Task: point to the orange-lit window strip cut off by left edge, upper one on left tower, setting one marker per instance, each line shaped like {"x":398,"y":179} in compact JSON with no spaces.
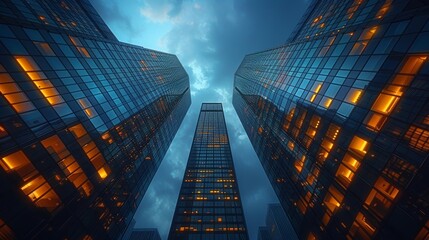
{"x":14,"y":95}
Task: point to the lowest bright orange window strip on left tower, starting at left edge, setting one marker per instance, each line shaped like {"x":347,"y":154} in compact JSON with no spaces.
{"x":35,"y":186}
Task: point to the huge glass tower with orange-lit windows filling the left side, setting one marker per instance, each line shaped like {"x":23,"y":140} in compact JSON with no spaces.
{"x":85,"y":121}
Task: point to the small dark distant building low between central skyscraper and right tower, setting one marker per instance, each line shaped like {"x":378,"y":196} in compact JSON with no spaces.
{"x":278,"y":226}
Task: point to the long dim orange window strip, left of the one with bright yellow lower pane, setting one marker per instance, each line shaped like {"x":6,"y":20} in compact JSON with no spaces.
{"x":68,"y":164}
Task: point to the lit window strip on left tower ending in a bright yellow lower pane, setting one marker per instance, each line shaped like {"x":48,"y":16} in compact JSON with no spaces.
{"x":91,"y":150}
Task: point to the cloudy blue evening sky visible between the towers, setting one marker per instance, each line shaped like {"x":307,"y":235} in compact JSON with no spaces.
{"x":210,"y":38}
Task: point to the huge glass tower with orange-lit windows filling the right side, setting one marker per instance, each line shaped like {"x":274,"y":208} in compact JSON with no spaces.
{"x":339,"y":117}
